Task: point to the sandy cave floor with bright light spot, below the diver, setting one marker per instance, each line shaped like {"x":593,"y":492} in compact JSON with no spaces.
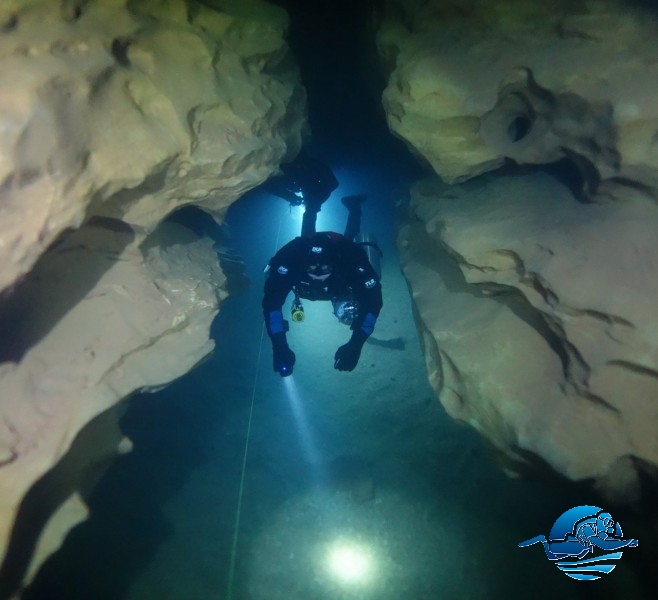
{"x":380,"y":466}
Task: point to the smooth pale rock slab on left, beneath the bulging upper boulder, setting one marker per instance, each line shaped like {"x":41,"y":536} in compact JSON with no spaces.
{"x":99,"y":318}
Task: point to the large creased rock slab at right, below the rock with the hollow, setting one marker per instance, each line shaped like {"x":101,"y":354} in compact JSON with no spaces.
{"x":539,"y":323}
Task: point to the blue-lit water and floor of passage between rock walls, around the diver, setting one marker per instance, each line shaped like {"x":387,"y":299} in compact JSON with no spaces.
{"x":237,"y":484}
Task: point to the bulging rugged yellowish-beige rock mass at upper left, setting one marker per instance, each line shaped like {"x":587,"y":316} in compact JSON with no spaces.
{"x":131,"y":109}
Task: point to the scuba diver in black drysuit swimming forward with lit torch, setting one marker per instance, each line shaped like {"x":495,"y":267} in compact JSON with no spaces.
{"x":322,"y":266}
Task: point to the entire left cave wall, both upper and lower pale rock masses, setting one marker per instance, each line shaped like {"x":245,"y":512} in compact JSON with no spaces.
{"x":114,"y":113}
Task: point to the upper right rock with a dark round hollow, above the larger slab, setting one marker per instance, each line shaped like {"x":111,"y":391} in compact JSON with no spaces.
{"x":474,"y":83}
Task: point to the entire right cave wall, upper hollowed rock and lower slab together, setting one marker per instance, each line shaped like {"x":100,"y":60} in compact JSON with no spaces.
{"x":535,"y":293}
